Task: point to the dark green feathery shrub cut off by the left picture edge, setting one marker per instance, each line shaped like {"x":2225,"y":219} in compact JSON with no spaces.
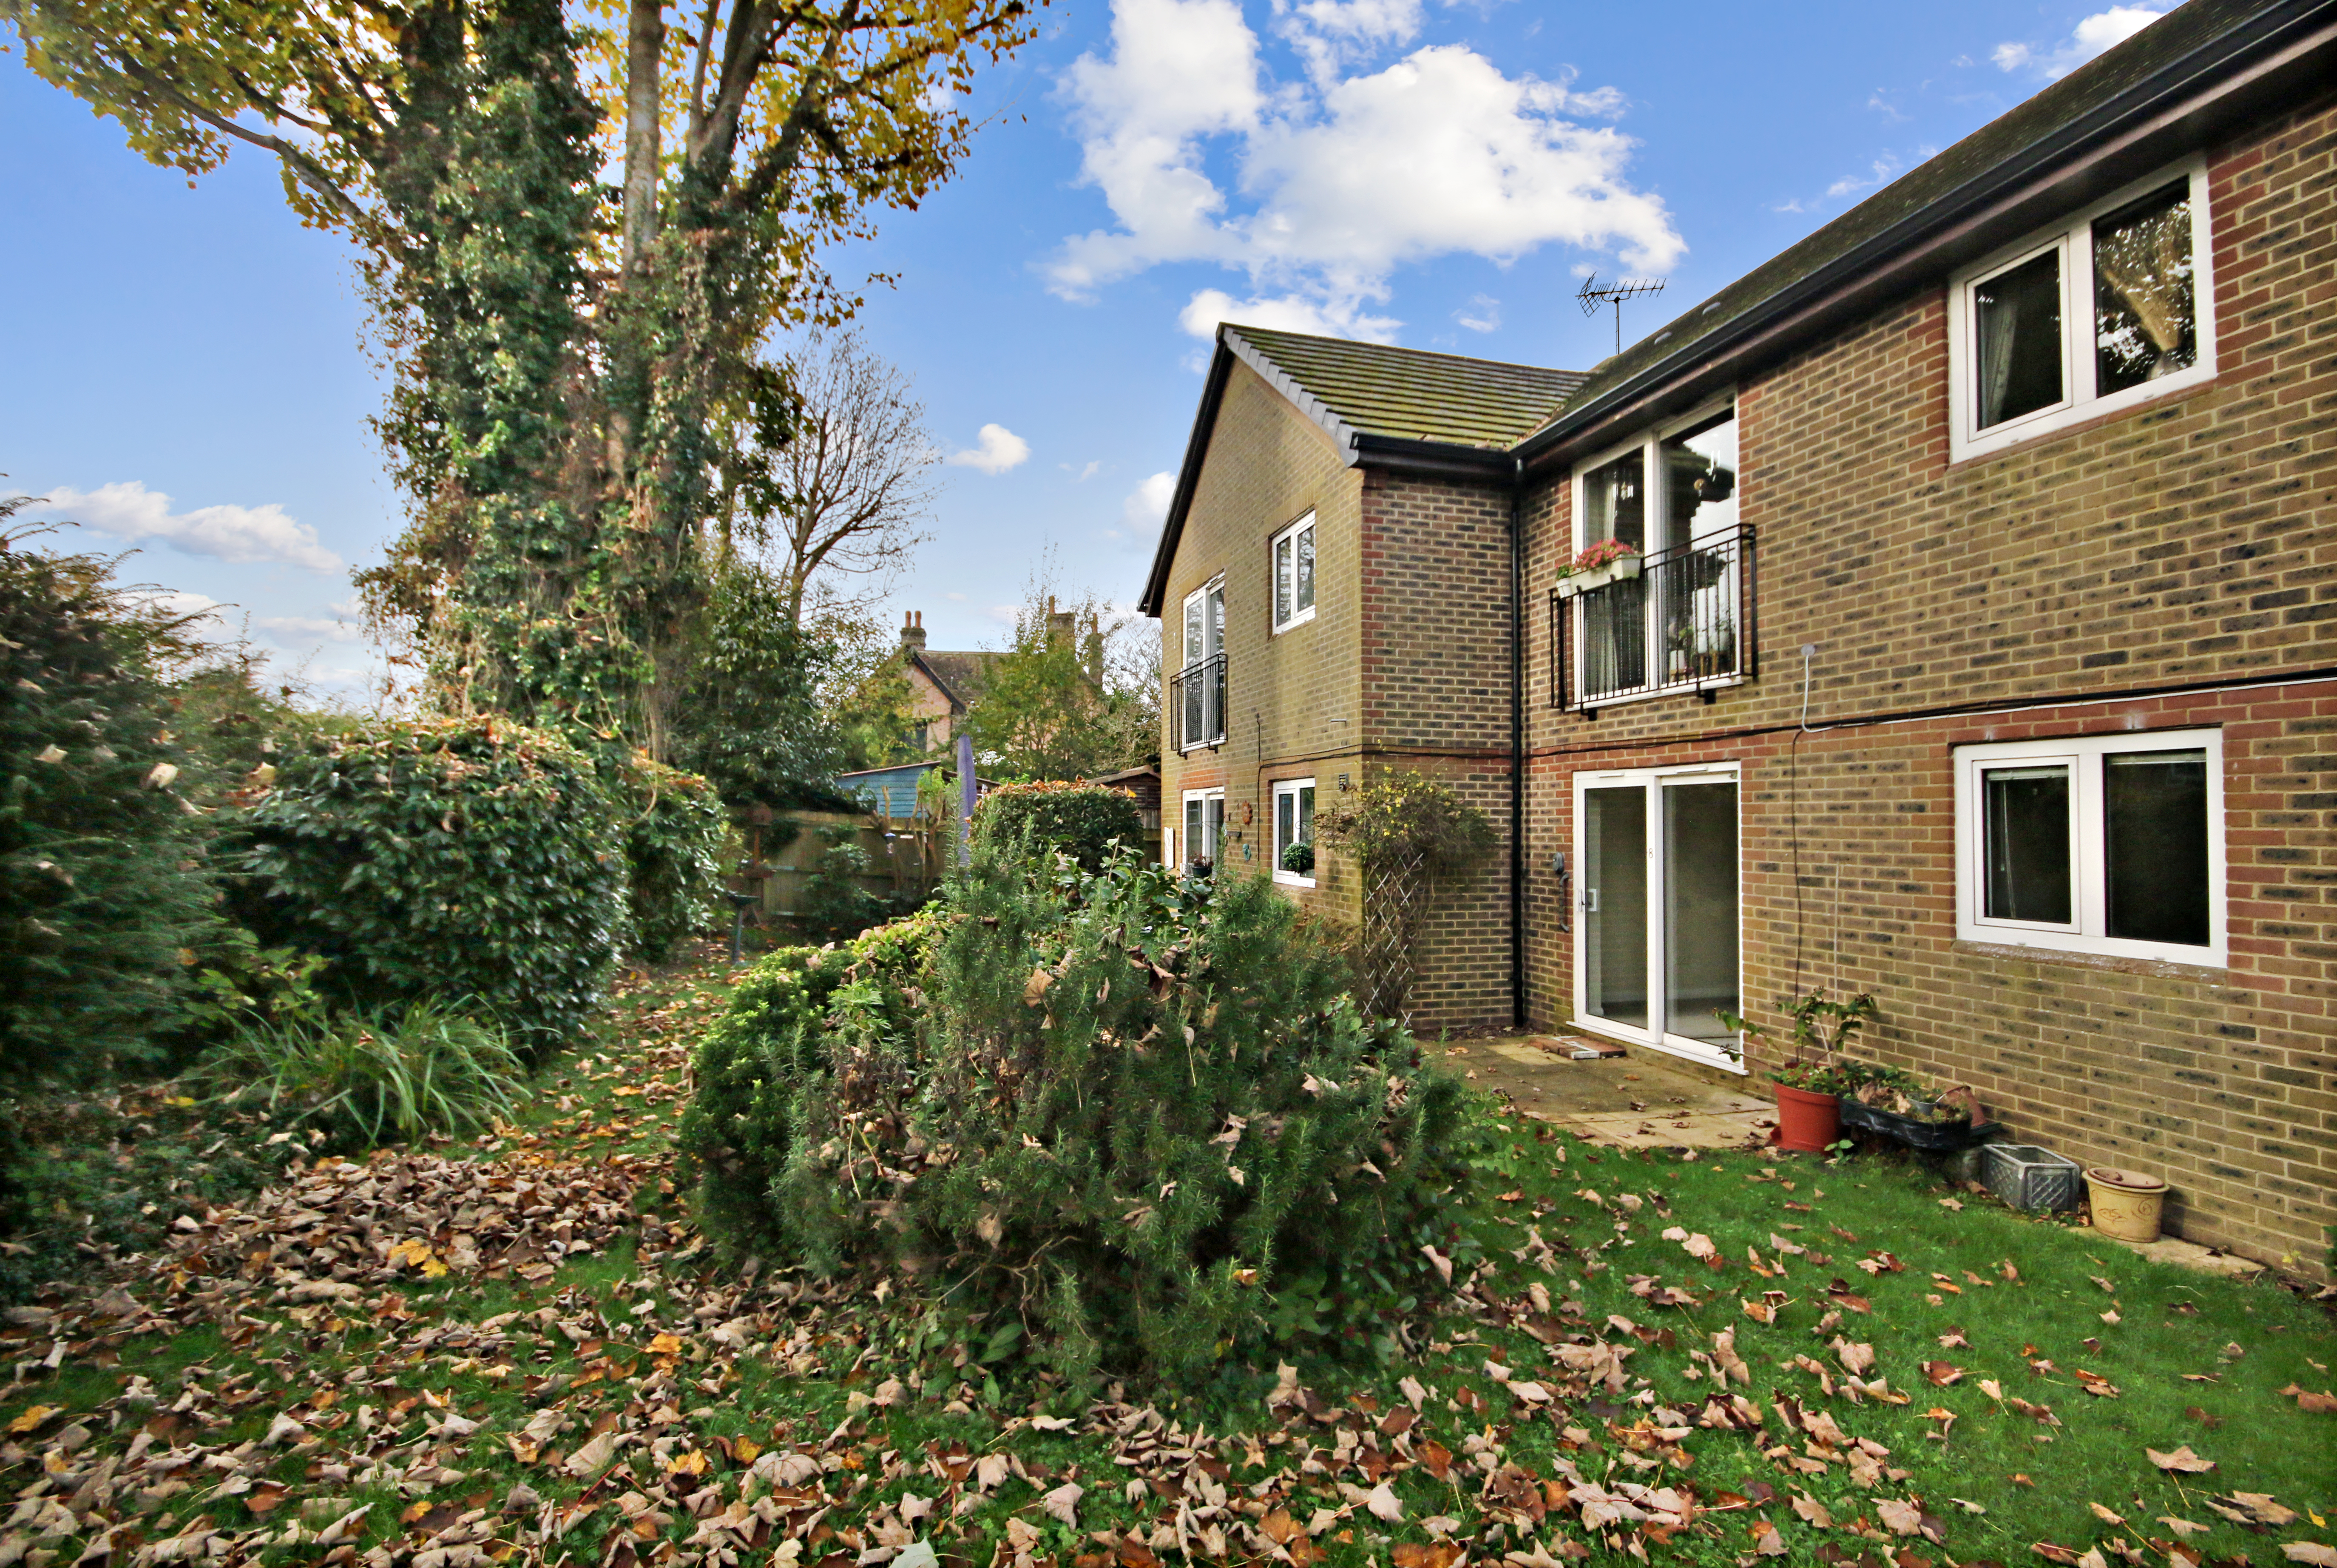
{"x":102,"y":856}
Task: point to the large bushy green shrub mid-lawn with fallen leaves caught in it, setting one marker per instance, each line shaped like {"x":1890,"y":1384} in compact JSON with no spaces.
{"x":1128,"y":1111}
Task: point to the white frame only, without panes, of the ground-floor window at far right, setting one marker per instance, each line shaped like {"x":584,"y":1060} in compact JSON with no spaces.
{"x":2088,"y":870}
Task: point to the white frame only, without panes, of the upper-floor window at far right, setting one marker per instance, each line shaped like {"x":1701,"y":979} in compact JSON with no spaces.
{"x":2074,"y":237}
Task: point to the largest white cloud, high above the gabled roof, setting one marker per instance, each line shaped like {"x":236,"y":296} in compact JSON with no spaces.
{"x":1345,"y":179}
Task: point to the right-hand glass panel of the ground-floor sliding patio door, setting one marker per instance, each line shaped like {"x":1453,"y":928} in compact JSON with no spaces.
{"x":1700,"y":910}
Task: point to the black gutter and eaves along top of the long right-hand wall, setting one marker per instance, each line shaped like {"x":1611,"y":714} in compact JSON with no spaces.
{"x":2282,"y":36}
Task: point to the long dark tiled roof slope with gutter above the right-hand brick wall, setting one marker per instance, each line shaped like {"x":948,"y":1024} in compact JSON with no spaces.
{"x":2116,"y":106}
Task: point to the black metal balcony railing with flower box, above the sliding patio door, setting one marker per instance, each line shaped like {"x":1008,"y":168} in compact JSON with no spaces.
{"x":1684,"y":625}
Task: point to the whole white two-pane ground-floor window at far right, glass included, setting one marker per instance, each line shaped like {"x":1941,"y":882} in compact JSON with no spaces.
{"x":2100,"y":845}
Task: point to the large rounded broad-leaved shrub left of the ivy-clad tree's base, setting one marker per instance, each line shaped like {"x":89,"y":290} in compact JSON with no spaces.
{"x":450,"y":859}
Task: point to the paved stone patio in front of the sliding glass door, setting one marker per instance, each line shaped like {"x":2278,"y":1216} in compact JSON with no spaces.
{"x":1637,"y":1102}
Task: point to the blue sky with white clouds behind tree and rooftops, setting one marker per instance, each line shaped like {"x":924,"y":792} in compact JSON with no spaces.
{"x":186,"y":368}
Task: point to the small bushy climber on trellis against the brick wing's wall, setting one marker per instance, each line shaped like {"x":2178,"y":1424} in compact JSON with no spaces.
{"x":1408,"y":833}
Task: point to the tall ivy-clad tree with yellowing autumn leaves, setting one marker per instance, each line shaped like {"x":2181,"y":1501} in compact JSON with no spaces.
{"x":571,"y":363}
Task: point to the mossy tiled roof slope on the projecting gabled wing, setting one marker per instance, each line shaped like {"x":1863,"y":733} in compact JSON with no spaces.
{"x":1403,"y":394}
